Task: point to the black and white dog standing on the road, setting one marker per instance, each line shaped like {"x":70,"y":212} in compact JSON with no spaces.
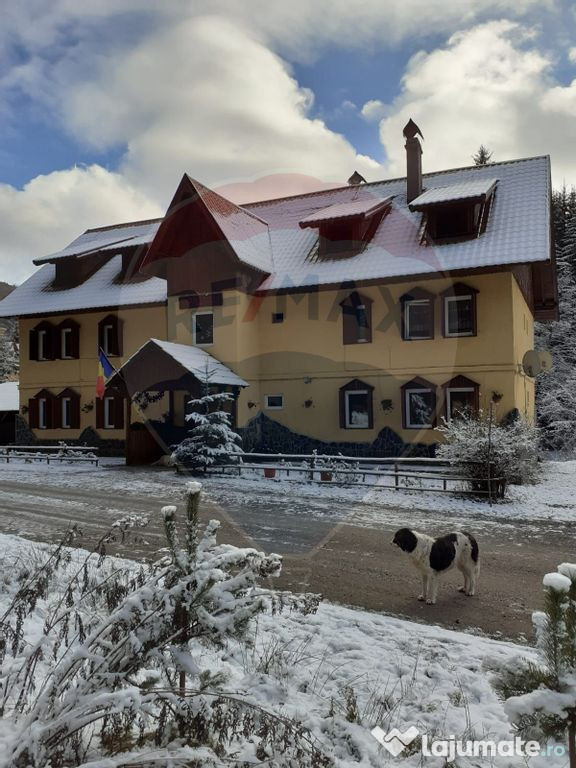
{"x":435,"y":556}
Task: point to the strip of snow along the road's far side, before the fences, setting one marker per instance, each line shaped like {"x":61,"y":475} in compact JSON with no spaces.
{"x":554,"y":499}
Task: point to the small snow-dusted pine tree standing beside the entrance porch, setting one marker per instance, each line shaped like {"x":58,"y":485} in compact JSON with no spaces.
{"x":211,"y":439}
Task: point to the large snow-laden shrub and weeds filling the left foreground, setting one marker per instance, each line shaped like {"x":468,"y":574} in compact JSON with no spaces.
{"x":117,"y":670}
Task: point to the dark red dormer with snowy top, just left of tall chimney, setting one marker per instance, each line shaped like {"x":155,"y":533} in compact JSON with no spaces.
{"x":344,"y":229}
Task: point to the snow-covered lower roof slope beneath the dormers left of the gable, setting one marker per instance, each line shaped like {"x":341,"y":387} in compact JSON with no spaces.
{"x":36,"y":297}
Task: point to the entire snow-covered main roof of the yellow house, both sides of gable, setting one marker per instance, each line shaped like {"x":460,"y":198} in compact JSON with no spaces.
{"x":267,"y":235}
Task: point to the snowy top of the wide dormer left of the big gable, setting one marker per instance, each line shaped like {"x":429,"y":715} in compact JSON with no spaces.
{"x":106,"y":239}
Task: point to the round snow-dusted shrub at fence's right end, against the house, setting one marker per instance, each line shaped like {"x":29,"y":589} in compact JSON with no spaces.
{"x":474,"y":444}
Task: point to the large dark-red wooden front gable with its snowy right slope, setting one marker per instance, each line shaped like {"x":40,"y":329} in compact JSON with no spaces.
{"x":198,"y":216}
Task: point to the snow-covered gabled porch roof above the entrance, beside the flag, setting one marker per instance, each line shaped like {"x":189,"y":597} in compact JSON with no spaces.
{"x":166,"y":365}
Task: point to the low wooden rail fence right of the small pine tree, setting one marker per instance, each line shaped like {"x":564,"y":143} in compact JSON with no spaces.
{"x":418,"y":474}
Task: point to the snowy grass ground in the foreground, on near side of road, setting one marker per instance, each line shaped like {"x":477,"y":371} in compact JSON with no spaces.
{"x":344,"y":671}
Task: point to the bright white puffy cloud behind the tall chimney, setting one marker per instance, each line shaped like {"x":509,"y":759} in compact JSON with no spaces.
{"x":488,"y":85}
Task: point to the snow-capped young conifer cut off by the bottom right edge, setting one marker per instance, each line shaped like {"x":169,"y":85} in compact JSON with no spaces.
{"x":540,"y":698}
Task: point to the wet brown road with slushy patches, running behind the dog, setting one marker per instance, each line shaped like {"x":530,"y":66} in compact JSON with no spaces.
{"x":349,"y":562}
